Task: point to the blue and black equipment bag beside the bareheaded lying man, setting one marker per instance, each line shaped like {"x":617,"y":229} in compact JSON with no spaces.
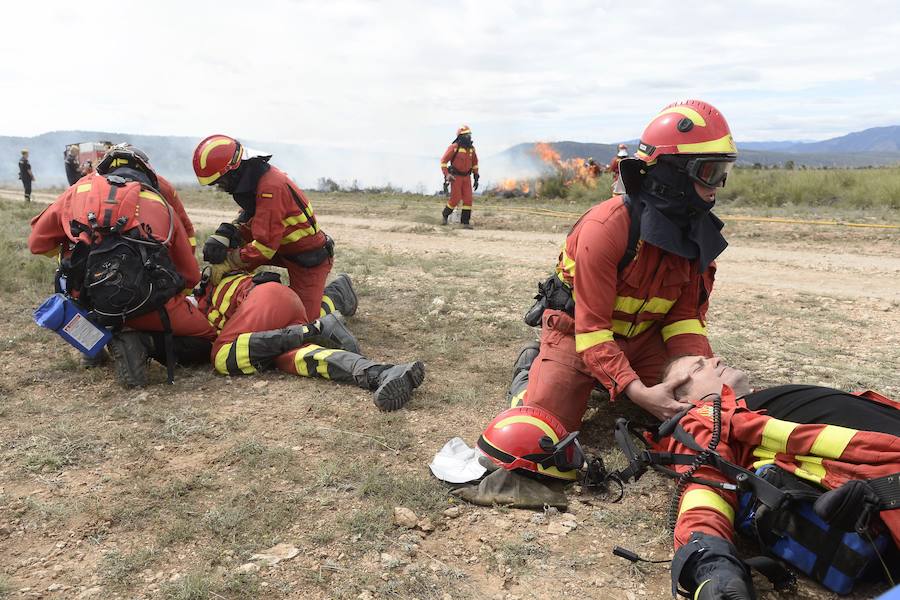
{"x":795,"y":534}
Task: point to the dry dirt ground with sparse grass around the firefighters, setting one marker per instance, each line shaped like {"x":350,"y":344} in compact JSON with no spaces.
{"x":167,"y":492}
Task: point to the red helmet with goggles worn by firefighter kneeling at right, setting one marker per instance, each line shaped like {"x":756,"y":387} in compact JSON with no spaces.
{"x":696,"y":129}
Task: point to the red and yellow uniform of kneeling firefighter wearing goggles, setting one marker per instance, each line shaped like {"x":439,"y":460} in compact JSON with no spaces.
{"x":627,"y":324}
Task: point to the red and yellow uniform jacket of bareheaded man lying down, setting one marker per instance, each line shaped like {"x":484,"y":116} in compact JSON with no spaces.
{"x":827,"y":455}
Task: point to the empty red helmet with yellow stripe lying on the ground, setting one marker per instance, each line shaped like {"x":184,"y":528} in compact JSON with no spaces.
{"x":530,"y":438}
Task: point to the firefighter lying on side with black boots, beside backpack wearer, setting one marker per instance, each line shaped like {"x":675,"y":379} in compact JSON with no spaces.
{"x":262,"y":324}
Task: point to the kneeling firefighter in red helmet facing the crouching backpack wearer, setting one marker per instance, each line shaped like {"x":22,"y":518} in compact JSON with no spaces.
{"x":276,"y":225}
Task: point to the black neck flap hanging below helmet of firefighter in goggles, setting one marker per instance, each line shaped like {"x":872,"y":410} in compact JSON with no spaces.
{"x":676,"y":218}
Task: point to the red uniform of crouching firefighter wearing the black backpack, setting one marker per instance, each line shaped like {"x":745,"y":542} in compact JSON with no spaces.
{"x":51,"y":235}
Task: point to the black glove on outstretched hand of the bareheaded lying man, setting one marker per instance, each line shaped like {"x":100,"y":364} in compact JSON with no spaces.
{"x":709,"y":569}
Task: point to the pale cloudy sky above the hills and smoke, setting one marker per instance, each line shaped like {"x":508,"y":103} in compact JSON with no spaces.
{"x":403,"y":75}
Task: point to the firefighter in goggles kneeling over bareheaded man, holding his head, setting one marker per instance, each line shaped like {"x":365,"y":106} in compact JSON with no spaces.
{"x":644,"y":273}
